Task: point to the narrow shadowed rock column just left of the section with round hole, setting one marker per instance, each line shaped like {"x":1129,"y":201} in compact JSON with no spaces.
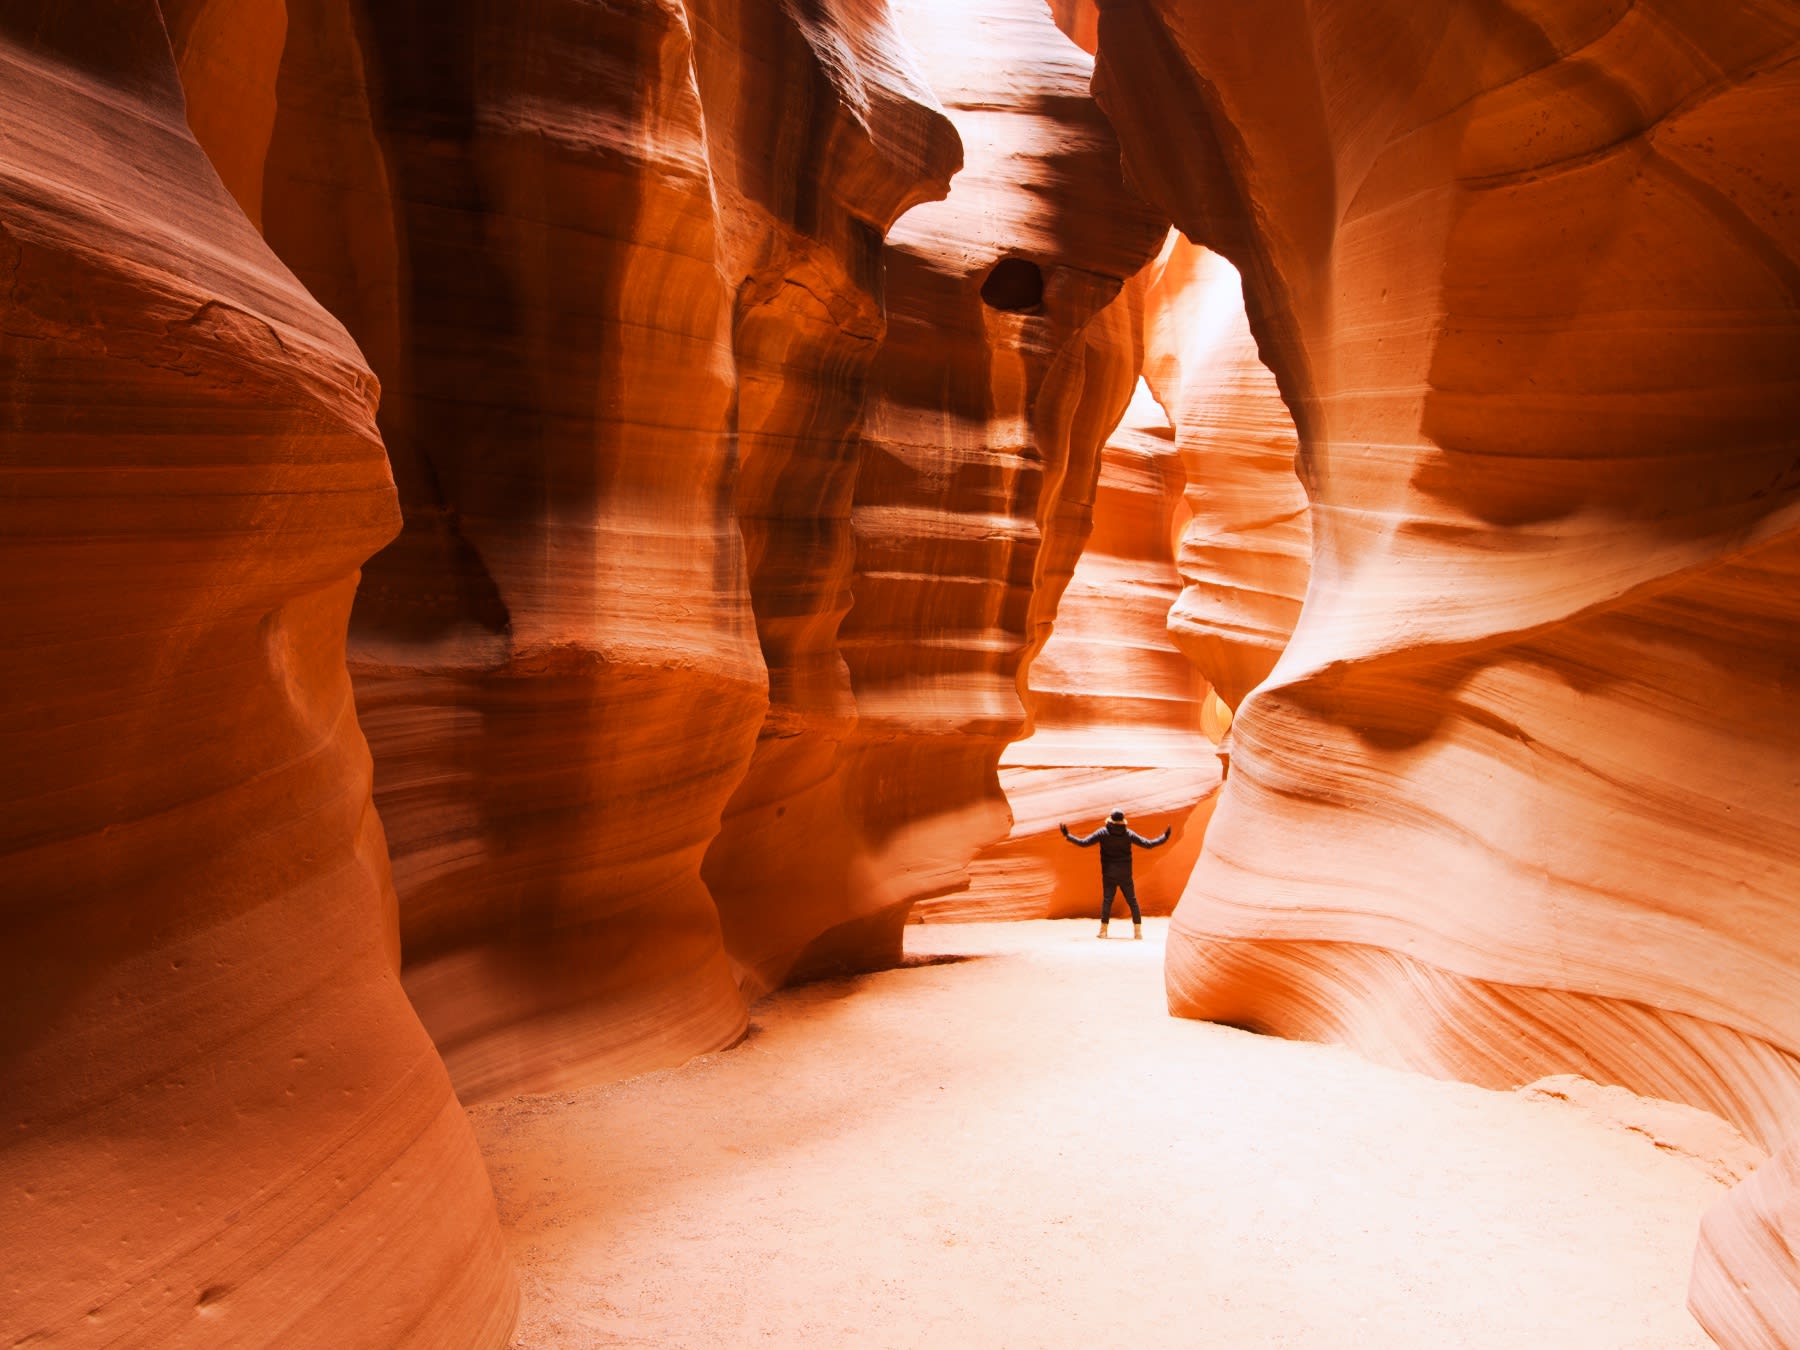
{"x":809,"y":201}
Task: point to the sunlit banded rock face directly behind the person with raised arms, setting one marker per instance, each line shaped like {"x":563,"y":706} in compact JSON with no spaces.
{"x":1115,"y":706}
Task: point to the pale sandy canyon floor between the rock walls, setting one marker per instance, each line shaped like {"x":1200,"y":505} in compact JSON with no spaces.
{"x":1023,"y":1149}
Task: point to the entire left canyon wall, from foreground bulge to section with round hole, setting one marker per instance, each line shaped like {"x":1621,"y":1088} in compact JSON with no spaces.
{"x":620,"y":274}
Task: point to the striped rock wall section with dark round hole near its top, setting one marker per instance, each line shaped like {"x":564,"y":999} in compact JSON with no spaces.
{"x":1011,"y":354}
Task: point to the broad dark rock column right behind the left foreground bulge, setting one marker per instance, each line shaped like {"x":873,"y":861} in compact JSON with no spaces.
{"x":557,"y":661}
